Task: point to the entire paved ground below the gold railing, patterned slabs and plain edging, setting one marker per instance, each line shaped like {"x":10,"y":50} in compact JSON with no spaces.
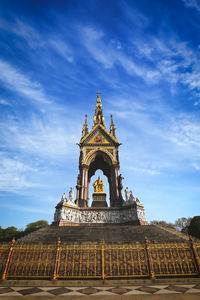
{"x":161,"y":289}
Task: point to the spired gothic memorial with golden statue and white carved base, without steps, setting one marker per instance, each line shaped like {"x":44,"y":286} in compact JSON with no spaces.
{"x":99,"y":150}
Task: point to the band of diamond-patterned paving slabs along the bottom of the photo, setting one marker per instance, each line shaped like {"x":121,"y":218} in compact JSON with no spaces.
{"x":96,"y":291}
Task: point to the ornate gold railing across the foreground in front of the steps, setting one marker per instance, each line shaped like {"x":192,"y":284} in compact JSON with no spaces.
{"x":101,"y":261}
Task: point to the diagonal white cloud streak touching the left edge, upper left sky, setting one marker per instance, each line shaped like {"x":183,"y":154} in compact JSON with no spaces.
{"x":15,"y":80}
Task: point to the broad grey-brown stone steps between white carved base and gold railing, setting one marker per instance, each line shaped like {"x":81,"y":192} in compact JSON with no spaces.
{"x":109,"y":233}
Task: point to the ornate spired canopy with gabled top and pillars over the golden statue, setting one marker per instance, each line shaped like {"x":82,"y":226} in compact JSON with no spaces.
{"x":98,"y":150}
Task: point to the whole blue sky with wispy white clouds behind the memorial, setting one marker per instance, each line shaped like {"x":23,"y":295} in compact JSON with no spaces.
{"x":144,"y":56}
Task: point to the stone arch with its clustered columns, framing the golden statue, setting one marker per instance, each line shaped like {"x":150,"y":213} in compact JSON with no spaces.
{"x":95,"y":160}
